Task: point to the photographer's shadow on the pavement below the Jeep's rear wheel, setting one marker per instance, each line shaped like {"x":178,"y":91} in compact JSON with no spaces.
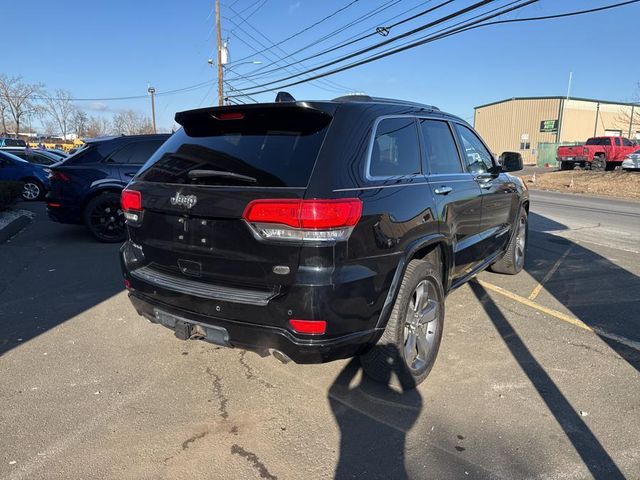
{"x":374,"y":419}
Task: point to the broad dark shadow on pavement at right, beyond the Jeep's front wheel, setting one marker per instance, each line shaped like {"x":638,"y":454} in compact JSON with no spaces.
{"x":603,"y":295}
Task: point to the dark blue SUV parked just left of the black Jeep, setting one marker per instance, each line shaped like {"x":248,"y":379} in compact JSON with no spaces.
{"x":85,"y":187}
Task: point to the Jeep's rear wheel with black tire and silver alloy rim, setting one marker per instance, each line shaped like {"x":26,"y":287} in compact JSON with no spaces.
{"x":392,"y":360}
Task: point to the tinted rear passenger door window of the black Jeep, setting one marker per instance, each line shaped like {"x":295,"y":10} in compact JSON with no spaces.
{"x":439,"y":147}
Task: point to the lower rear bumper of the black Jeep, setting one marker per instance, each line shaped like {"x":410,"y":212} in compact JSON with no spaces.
{"x":262,"y":338}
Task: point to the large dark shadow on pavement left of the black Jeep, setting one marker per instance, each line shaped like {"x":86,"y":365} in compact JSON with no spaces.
{"x":50,"y":273}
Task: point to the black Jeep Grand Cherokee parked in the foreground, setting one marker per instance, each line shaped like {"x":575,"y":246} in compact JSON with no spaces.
{"x":320,"y":230}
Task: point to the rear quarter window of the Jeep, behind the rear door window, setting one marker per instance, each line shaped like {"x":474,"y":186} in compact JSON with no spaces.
{"x":395,"y":150}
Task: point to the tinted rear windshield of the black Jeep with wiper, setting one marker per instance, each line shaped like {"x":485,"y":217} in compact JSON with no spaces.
{"x":266,"y":152}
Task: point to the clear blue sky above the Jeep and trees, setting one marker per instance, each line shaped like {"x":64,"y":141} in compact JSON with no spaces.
{"x":115,"y":48}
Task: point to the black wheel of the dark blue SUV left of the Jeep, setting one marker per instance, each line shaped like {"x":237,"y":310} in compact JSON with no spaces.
{"x":104,"y":218}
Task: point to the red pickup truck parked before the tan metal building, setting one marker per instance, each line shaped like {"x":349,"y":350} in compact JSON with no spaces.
{"x":598,"y":153}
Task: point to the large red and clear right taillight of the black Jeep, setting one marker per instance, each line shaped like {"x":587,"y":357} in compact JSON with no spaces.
{"x":303,"y":220}
